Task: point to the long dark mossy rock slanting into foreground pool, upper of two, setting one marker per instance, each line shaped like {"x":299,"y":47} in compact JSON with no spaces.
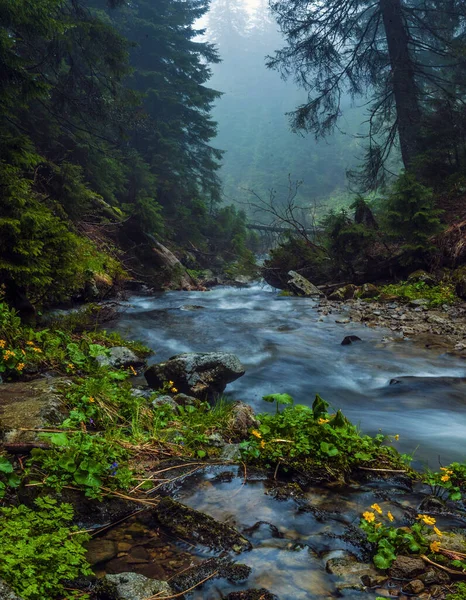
{"x":199,"y":528}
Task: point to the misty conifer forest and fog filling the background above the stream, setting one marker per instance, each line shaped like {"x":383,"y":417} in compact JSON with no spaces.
{"x":136,"y":134}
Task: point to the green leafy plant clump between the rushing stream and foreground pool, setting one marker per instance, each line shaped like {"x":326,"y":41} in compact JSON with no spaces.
{"x":299,"y":433}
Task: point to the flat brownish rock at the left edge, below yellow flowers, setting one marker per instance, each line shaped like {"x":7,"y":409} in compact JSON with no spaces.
{"x":29,"y":405}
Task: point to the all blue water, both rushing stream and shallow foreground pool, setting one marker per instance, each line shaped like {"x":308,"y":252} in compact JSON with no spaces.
{"x":287,"y":346}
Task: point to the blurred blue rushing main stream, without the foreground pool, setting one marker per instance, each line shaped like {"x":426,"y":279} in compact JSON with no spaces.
{"x":287,"y":346}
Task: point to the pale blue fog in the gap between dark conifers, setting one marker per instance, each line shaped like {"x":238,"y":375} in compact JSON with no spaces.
{"x":261,"y":150}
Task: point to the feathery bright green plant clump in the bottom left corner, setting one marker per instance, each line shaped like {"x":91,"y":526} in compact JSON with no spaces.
{"x":41,"y":549}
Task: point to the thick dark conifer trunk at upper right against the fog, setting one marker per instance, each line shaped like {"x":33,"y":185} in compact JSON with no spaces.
{"x":404,"y":84}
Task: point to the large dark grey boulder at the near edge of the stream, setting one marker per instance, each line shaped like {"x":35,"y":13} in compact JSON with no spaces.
{"x":203,"y":375}
